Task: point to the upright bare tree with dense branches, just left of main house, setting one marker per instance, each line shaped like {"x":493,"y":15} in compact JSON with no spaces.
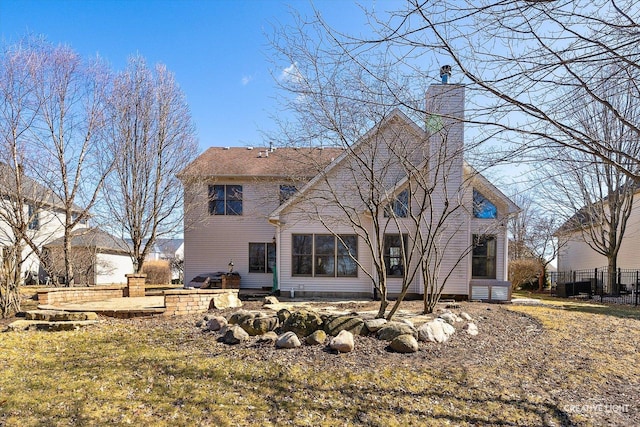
{"x":152,"y":138}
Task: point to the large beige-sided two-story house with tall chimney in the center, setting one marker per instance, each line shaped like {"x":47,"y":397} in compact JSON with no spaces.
{"x":304,"y":215}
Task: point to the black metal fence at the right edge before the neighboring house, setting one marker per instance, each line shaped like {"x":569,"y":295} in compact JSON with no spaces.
{"x":619,"y":287}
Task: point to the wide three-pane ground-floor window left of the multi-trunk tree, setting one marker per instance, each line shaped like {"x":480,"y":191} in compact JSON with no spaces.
{"x":324,"y":255}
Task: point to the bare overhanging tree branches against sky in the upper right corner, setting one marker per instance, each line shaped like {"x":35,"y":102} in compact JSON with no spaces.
{"x":520,"y":58}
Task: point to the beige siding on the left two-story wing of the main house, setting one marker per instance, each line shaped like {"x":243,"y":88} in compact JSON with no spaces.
{"x":215,"y":240}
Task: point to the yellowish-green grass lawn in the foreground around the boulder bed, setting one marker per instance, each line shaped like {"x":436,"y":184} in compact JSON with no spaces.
{"x":131,"y":373}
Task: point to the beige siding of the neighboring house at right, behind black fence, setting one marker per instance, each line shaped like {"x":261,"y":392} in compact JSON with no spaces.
{"x":578,"y":255}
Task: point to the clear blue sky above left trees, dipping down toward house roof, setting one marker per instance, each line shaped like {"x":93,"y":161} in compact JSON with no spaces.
{"x":216,"y":48}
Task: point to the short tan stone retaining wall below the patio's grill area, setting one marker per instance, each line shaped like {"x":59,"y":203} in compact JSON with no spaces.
{"x":192,"y":301}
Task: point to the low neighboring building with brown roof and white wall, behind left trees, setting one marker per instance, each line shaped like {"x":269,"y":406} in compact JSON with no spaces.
{"x":97,"y":257}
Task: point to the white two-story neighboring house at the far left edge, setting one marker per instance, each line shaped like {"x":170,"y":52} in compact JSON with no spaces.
{"x":46,"y":219}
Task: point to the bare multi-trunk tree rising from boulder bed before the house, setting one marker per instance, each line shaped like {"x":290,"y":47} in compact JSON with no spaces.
{"x":349,"y":98}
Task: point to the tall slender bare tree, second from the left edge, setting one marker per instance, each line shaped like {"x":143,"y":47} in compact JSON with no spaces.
{"x":66,"y":134}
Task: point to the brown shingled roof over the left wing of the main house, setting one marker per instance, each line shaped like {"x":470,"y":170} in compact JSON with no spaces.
{"x":260,"y":162}
